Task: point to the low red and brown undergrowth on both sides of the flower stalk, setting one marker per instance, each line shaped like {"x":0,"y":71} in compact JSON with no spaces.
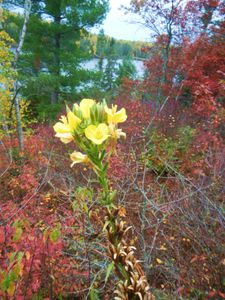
{"x":170,"y":190}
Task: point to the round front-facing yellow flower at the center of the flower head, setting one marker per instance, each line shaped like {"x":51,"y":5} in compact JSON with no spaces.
{"x":97,"y":134}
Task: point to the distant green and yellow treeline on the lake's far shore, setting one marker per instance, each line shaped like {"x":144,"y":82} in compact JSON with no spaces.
{"x":101,"y":45}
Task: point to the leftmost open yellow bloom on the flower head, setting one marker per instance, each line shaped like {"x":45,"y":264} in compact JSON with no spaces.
{"x":64,"y":129}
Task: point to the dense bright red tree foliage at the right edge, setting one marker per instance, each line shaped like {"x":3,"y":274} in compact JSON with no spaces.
{"x":205,"y":78}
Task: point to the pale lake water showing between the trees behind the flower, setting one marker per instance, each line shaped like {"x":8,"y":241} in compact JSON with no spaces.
{"x":93,"y":65}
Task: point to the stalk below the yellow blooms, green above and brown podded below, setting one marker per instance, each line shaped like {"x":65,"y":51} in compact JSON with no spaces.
{"x":133,"y":283}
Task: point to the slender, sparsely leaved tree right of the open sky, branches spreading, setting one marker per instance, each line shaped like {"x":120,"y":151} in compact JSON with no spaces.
{"x":170,"y":23}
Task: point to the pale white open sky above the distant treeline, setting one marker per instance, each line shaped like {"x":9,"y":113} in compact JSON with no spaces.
{"x":121,"y":26}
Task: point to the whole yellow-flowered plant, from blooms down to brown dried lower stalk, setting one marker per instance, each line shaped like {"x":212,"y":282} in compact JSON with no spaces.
{"x":93,"y":127}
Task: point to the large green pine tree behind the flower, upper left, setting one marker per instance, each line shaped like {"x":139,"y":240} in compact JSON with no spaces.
{"x":52,"y":53}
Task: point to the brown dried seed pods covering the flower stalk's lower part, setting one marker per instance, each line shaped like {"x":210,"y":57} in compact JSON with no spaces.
{"x":133,"y":284}
